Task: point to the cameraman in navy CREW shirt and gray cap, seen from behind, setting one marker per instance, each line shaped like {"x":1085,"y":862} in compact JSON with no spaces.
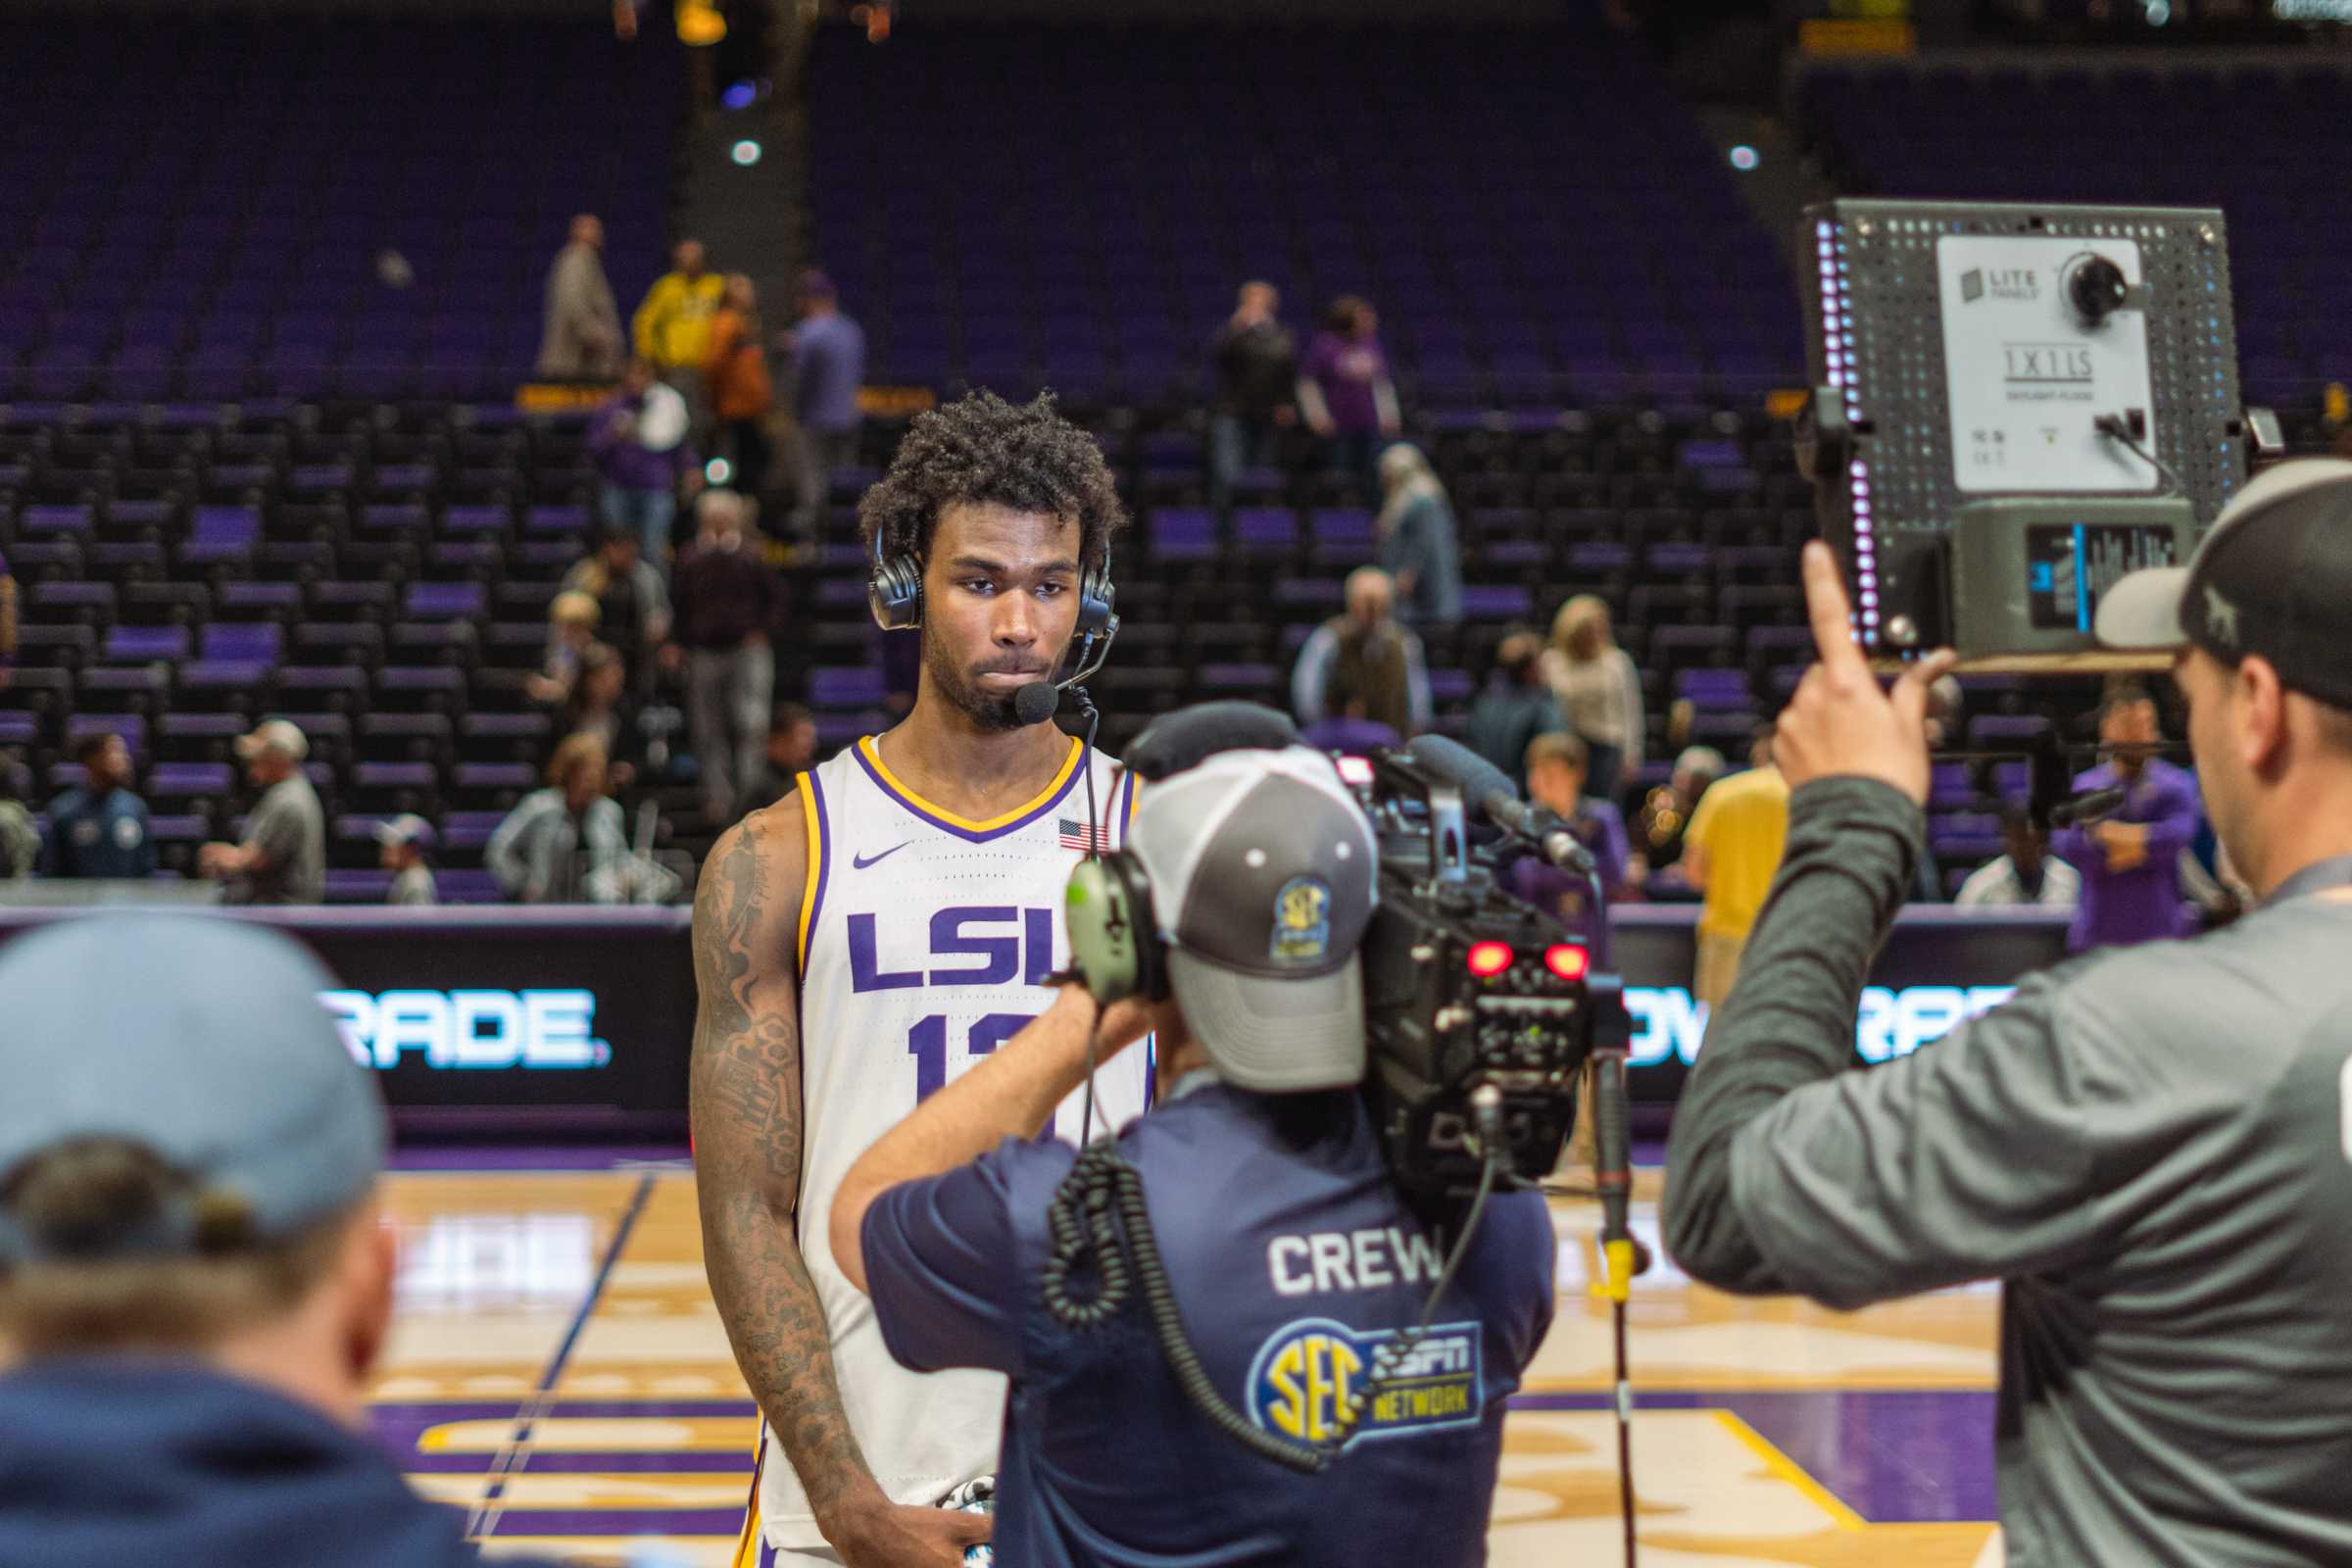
{"x":1290,"y":1252}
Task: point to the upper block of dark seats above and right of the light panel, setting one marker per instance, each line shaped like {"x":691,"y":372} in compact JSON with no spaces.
{"x":2193,"y":135}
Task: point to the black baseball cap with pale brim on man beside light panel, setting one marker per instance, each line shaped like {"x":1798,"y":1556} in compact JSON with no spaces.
{"x":2271,"y":577}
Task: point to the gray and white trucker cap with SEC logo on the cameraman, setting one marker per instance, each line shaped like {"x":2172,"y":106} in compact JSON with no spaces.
{"x":1264,"y":878}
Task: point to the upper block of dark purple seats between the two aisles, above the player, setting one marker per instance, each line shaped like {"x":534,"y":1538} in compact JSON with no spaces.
{"x":1532,"y":213}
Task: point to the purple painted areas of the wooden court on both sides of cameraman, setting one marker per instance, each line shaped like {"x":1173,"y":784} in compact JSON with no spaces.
{"x":1890,"y":1456}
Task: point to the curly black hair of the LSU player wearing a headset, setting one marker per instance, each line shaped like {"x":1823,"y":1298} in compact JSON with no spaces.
{"x":991,"y":453}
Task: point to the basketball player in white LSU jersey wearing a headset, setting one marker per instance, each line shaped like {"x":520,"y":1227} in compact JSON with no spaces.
{"x":874,"y":934}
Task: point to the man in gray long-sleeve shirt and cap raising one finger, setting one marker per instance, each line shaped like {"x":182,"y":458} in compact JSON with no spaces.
{"x":2149,"y":1146}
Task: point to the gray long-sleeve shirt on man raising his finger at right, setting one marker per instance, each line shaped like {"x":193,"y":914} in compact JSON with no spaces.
{"x":2153,"y":1148}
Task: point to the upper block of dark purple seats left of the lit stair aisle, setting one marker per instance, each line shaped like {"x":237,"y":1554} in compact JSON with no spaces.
{"x":199,"y":208}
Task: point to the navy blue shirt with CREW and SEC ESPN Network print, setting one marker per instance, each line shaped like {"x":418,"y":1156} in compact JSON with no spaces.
{"x":1292,"y":1259}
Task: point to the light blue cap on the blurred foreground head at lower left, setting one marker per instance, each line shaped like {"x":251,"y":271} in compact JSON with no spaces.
{"x":201,"y":1040}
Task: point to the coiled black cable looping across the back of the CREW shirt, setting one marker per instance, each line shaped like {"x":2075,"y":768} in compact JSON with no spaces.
{"x":1100,"y":1221}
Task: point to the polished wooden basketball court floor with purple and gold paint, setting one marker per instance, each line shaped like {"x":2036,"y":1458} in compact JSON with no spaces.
{"x":563,"y":1376}
